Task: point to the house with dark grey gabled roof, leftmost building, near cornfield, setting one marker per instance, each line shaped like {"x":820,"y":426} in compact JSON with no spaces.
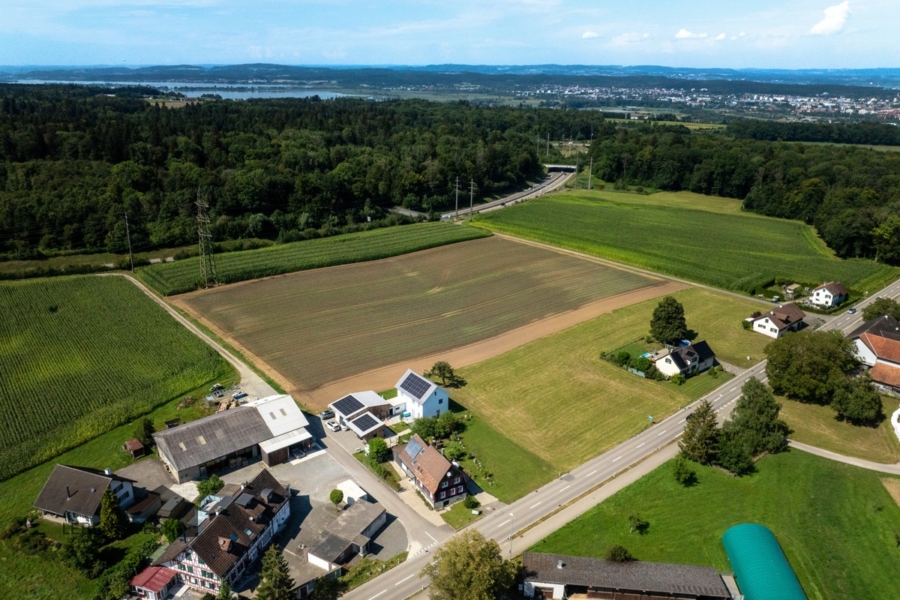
{"x":74,"y":494}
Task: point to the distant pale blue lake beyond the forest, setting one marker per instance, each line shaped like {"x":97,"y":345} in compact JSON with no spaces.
{"x":229,"y":91}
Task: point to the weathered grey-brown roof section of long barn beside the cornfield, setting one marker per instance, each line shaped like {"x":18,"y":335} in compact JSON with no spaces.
{"x":209,"y":438}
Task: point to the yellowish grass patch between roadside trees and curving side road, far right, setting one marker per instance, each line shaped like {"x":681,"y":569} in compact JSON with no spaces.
{"x":815,"y":425}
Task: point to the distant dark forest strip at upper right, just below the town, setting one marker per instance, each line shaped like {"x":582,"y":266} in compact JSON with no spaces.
{"x":865,"y":132}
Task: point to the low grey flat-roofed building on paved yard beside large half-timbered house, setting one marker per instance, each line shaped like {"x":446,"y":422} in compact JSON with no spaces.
{"x":349,"y":535}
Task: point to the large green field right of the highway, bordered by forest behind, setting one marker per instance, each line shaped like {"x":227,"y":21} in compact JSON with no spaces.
{"x":702,"y":239}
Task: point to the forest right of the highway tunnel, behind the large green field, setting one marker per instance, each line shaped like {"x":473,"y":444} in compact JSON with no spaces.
{"x":850,"y":194}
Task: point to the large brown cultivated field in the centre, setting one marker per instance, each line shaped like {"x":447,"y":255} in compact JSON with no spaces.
{"x":322,"y":325}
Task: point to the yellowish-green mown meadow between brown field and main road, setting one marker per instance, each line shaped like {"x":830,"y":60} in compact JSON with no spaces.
{"x":556,"y":398}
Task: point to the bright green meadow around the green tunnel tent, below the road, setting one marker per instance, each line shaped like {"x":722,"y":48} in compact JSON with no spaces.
{"x":836,"y":523}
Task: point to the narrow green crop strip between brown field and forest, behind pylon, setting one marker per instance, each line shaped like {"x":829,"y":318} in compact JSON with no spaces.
{"x":184,"y":275}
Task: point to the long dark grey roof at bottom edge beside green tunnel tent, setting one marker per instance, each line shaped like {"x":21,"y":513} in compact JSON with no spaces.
{"x":637,"y":577}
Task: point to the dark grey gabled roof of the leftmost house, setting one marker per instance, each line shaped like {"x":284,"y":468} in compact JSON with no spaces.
{"x":73,"y":489}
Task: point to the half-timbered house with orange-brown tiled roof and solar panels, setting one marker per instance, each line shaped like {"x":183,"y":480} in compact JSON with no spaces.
{"x":441,"y":482}
